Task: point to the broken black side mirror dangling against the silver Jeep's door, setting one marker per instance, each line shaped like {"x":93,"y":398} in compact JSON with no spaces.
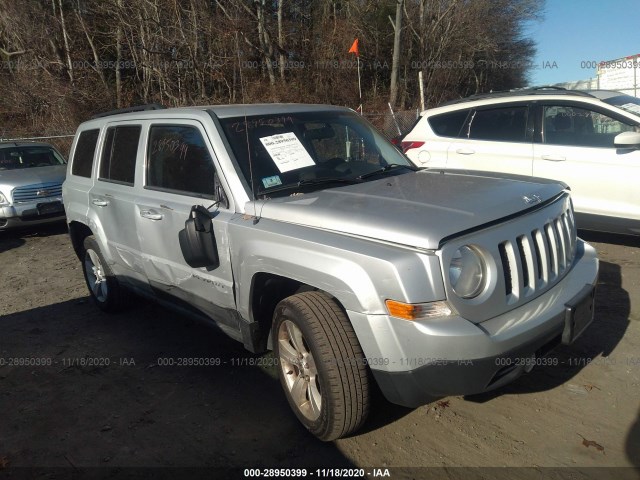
{"x":197,"y":240}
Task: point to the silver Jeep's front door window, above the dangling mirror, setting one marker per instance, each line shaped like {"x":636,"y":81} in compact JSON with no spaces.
{"x":179,"y":161}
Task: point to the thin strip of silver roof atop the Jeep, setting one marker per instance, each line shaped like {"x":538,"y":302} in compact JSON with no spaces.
{"x":222,"y":111}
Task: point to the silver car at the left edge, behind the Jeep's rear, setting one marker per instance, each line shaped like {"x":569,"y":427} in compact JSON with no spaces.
{"x":31,"y":176}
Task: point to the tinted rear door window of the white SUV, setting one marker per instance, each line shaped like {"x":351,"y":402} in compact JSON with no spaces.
{"x":500,"y":124}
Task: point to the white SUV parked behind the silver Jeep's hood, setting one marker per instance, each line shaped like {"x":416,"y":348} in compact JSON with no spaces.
{"x":587,"y":139}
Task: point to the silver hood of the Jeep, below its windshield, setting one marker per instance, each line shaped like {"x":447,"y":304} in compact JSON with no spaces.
{"x":416,"y":209}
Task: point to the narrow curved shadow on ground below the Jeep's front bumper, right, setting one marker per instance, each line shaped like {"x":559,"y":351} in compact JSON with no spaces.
{"x":612,"y":309}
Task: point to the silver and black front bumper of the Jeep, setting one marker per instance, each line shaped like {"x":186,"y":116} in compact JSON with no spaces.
{"x":416,"y":362}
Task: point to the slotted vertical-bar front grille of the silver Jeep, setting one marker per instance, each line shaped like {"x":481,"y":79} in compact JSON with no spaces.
{"x":533,"y":261}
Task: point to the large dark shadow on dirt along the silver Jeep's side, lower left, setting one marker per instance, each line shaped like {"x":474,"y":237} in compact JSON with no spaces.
{"x":146,"y":388}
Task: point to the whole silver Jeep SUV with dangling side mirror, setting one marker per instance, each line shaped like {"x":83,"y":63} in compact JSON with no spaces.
{"x":300,"y":229}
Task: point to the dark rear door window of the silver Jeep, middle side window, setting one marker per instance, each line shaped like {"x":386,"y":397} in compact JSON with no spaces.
{"x":118,"y":162}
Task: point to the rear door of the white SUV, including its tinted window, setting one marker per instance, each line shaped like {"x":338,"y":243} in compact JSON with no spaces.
{"x":496,"y":138}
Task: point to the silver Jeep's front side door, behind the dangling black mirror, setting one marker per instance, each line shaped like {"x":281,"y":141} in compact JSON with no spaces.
{"x":179,"y":172}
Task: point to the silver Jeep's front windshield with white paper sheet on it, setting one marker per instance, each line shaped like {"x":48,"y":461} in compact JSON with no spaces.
{"x":300,"y":152}
